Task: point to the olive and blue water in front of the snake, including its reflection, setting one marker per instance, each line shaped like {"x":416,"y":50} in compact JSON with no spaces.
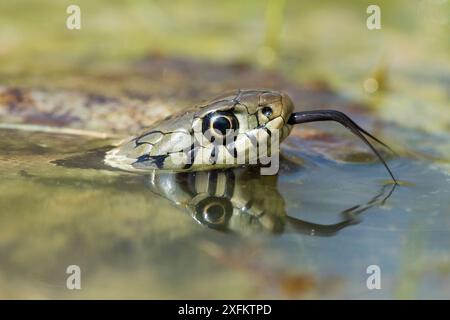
{"x":310,"y":232}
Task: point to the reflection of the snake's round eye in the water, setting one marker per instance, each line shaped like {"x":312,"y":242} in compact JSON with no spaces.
{"x":214,"y":212}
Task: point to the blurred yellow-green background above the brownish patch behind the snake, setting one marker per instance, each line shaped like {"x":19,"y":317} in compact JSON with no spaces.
{"x":310,"y":42}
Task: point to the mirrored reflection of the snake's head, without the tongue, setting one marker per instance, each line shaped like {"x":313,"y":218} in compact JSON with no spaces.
{"x":234,"y":200}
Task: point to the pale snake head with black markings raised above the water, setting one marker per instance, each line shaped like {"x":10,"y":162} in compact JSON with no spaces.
{"x":229,"y":131}
